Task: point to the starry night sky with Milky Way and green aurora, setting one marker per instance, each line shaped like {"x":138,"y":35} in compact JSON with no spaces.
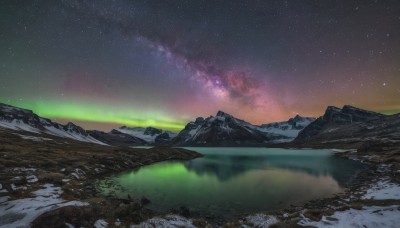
{"x":161,"y":63}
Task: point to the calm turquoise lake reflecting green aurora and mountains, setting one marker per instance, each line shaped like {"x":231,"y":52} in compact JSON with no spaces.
{"x":234,"y":181}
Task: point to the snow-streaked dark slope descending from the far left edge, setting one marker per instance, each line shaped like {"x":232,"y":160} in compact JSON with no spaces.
{"x":25,"y":120}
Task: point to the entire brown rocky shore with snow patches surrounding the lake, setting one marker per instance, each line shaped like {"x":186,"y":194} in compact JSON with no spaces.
{"x":51,"y":184}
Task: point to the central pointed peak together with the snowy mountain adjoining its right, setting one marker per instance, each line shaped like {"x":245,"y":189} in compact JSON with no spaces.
{"x":224,"y":129}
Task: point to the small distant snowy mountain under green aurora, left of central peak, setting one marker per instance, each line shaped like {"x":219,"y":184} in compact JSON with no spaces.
{"x":150,"y":134}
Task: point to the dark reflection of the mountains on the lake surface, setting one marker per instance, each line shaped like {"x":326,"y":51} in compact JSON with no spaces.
{"x":225,"y":167}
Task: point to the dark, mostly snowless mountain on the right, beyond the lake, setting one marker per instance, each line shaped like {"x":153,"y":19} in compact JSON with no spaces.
{"x":334,"y":119}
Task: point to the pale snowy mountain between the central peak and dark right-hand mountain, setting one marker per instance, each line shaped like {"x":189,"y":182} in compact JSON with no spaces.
{"x":290,"y":128}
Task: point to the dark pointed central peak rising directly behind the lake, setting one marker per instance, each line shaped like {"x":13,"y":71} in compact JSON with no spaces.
{"x":225,"y":130}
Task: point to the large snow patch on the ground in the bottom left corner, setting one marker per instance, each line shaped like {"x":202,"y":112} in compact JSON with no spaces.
{"x":21,"y":212}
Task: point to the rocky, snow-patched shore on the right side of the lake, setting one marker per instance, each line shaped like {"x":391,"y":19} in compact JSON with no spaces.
{"x":374,"y":192}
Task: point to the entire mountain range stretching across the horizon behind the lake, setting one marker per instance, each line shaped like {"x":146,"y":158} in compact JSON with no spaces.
{"x":223,"y":129}
